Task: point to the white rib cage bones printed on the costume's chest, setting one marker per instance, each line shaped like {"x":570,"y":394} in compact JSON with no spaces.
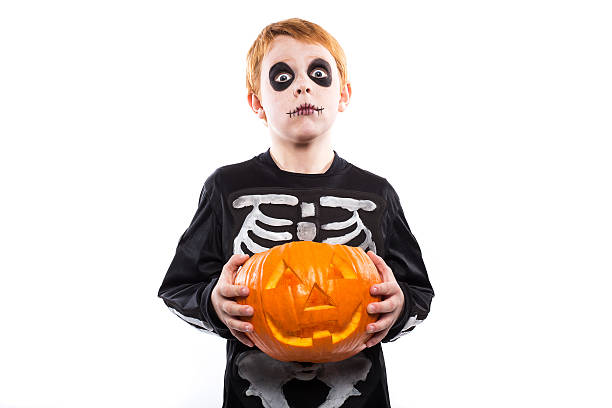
{"x":306,"y":231}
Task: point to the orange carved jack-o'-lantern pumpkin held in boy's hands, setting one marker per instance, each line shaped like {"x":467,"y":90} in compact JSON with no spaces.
{"x":309,"y":300}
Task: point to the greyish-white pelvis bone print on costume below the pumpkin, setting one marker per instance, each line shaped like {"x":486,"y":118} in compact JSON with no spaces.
{"x":267,"y":376}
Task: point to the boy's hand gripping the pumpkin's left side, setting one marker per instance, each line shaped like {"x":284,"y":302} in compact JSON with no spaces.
{"x":222,"y":298}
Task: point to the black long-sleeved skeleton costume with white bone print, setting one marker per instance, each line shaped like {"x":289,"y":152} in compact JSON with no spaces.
{"x":252,"y":206}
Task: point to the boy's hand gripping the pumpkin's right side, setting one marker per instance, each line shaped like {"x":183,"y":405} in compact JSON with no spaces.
{"x":390,"y":307}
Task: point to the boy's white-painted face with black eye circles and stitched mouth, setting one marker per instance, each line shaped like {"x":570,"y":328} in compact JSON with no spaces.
{"x":300,"y":90}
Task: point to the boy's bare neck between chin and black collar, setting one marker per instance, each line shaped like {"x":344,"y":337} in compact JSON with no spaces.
{"x":309,"y":159}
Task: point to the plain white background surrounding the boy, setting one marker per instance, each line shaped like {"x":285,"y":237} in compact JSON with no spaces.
{"x":491,"y":119}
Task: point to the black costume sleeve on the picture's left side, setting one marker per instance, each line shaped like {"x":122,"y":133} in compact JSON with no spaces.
{"x":196,"y":267}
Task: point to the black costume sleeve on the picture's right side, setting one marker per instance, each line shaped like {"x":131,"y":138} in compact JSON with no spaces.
{"x":403,"y":255}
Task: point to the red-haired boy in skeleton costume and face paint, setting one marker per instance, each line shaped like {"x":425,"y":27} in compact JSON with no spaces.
{"x":299,"y":189}
